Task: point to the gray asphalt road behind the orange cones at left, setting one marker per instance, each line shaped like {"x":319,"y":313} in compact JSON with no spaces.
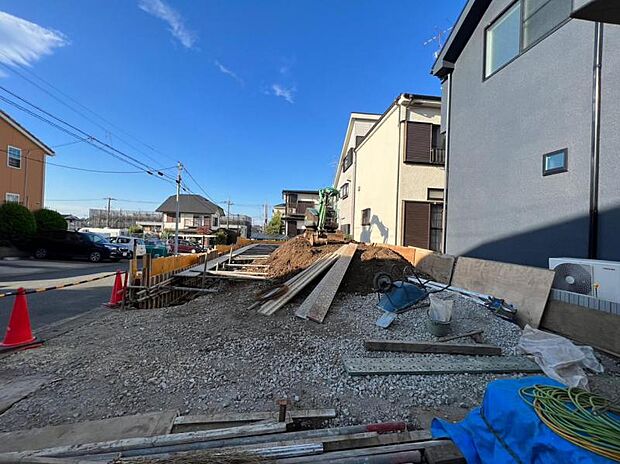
{"x":54,"y":305}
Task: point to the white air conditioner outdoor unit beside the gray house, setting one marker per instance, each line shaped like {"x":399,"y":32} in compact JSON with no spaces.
{"x":600,"y":279}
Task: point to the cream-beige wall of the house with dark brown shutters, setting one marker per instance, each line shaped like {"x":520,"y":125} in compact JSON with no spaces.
{"x":384,"y":181}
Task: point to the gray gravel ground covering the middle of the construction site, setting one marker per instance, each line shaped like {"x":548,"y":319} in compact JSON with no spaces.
{"x":213,"y":355}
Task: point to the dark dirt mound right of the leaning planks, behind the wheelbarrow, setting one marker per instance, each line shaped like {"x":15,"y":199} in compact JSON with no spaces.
{"x":367,"y":262}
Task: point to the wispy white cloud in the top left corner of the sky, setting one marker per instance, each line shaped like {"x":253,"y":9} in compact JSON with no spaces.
{"x":23,"y":42}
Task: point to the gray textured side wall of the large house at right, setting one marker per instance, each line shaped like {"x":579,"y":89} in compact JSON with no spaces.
{"x":500,"y":205}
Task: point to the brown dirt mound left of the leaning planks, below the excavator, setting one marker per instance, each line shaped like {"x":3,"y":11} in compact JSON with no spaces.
{"x":294,"y":256}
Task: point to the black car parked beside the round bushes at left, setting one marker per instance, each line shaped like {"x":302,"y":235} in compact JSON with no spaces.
{"x":67,"y":244}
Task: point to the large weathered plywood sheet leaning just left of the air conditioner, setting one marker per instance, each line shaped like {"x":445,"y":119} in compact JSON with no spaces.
{"x":527,"y":288}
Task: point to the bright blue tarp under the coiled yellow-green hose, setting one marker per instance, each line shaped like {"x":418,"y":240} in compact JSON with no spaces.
{"x":526,"y":439}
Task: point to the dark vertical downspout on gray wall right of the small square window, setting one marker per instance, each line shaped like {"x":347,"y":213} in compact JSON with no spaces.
{"x":596,"y":141}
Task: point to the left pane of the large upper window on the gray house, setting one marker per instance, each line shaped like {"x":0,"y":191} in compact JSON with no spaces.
{"x":502,"y":40}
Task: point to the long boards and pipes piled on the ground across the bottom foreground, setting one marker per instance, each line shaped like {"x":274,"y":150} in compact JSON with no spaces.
{"x":265,"y":440}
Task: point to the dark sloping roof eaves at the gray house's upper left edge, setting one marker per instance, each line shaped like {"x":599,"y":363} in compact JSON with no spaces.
{"x":464,"y":28}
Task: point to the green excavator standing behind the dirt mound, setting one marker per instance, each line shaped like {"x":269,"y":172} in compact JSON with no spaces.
{"x":322,"y":223}
